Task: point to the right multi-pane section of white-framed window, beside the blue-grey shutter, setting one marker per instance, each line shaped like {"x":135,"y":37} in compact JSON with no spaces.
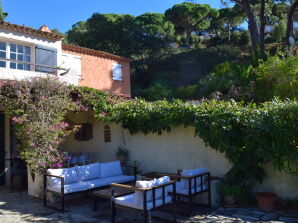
{"x":20,"y":54}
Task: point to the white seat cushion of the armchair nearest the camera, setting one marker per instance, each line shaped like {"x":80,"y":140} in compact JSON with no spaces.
{"x":128,"y":201}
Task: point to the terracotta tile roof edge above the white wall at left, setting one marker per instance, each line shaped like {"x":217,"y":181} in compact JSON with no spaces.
{"x":31,"y":31}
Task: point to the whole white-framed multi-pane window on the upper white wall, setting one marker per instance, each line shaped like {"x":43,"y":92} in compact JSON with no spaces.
{"x":19,"y":56}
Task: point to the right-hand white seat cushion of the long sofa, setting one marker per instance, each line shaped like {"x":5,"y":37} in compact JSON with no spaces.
{"x":108,"y":180}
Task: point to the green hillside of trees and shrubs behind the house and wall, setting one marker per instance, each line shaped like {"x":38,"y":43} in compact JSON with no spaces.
{"x":195,"y":52}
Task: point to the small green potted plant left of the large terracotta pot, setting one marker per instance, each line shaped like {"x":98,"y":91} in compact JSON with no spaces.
{"x":230,"y":194}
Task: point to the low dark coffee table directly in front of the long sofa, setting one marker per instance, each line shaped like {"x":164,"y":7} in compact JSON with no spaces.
{"x":106,"y":193}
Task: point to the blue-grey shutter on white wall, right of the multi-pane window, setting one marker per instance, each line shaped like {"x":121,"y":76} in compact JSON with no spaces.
{"x":46,"y":56}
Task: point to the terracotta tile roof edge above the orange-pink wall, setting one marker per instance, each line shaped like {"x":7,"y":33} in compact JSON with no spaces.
{"x":98,"y":53}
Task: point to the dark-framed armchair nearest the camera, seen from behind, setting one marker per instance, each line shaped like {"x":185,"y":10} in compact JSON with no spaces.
{"x":152,"y":198}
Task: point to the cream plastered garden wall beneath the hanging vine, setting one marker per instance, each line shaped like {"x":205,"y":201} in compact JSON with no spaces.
{"x":178,"y":149}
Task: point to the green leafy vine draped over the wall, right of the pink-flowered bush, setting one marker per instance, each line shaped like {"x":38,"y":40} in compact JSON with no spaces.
{"x":250,"y":136}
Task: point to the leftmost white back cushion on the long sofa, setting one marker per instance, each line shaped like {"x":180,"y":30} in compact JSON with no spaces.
{"x":69,"y":174}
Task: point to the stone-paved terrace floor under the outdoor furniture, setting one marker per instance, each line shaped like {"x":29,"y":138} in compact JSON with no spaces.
{"x":18,"y":207}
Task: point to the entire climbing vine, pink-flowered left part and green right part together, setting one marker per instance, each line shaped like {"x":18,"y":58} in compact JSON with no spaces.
{"x":251,"y":136}
